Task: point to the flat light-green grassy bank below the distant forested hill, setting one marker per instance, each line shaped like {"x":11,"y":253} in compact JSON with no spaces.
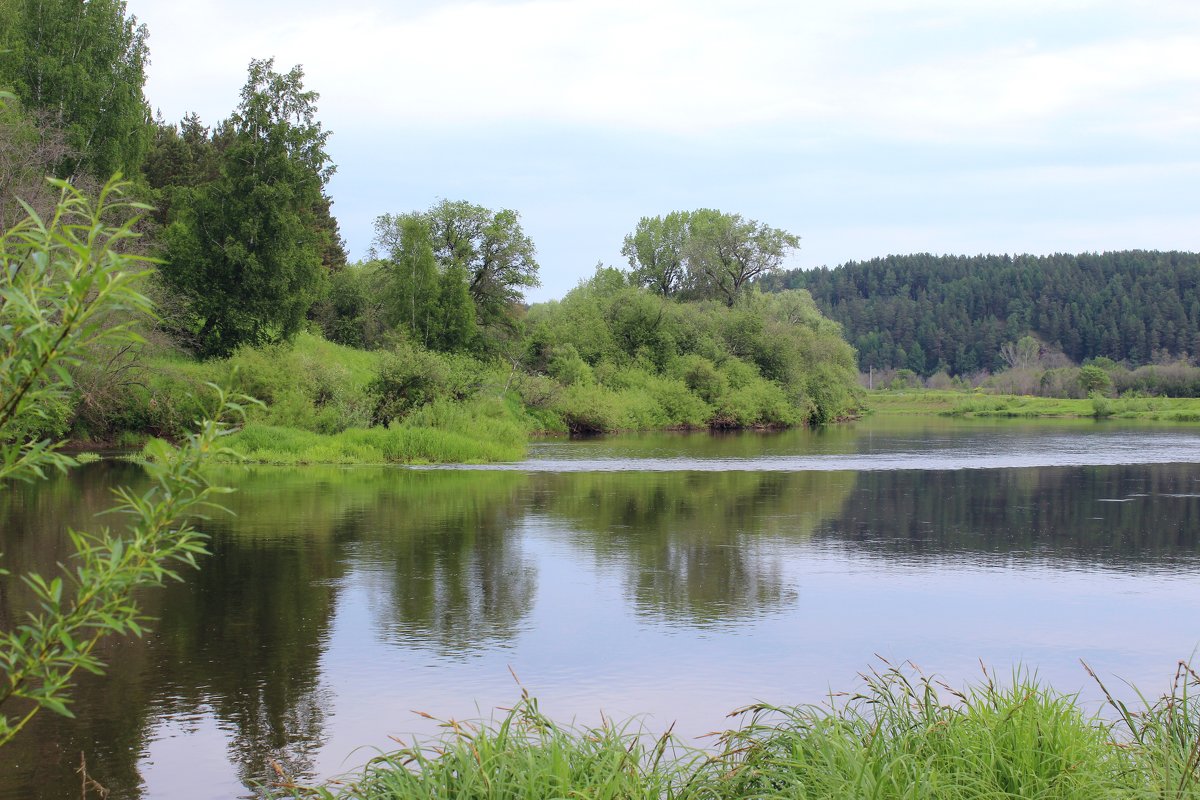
{"x":976,"y":405}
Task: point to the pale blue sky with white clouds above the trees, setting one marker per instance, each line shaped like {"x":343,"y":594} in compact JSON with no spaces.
{"x":867,"y":128}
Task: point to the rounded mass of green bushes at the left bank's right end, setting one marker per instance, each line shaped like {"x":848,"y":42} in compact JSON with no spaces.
{"x":628,"y":358}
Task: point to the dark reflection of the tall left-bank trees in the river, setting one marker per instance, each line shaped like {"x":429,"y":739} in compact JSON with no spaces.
{"x":243,"y":639}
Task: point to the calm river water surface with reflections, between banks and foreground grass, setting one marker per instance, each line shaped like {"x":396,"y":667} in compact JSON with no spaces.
{"x":674,"y":578}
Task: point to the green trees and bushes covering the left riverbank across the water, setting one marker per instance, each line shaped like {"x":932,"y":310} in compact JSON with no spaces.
{"x":428,"y":350}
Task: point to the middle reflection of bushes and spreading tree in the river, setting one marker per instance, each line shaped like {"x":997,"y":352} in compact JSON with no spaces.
{"x":698,"y":549}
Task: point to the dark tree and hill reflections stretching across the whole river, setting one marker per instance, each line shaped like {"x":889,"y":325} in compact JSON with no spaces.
{"x":442,"y":551}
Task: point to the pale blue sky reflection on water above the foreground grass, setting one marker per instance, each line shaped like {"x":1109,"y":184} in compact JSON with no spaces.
{"x":584,"y":651}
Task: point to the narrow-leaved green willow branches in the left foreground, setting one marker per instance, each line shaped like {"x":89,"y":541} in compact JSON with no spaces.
{"x":62,"y":284}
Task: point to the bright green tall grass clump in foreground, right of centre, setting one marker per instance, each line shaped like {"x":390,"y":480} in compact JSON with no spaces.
{"x":905,"y":736}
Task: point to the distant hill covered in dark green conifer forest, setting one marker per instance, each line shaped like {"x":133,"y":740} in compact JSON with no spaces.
{"x":953,"y":312}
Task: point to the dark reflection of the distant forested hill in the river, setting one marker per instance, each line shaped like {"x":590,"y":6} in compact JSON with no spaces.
{"x":1124,"y":516}
